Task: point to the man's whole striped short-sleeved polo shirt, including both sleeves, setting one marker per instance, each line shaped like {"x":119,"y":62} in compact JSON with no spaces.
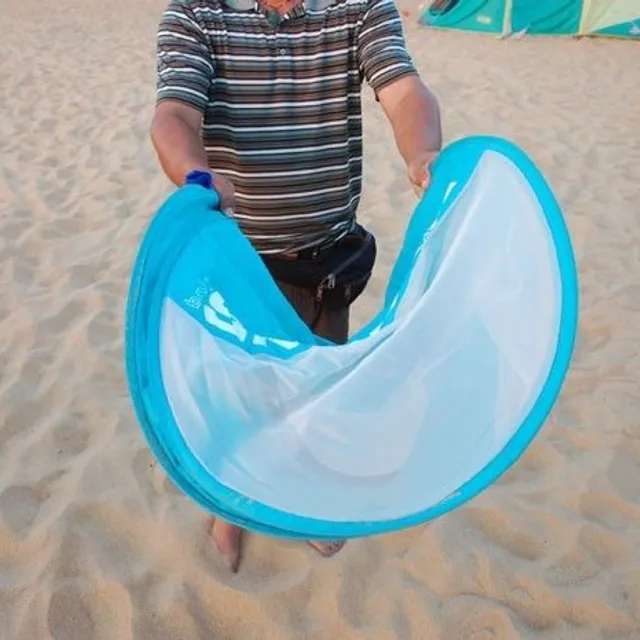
{"x":281,"y":104}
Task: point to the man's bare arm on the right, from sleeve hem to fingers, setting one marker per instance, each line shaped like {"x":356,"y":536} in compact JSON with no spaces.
{"x":414,"y":114}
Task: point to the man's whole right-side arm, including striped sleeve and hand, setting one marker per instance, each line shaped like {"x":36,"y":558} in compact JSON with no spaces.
{"x":410,"y":106}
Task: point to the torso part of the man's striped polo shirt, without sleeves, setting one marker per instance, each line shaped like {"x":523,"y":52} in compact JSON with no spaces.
{"x":283,"y":121}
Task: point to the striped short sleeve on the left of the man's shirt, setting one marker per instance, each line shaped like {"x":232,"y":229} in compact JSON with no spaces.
{"x":185,"y":68}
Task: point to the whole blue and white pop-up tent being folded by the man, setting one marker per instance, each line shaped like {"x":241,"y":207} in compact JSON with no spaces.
{"x":261,"y":422}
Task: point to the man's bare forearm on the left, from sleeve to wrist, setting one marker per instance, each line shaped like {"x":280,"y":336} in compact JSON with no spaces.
{"x":178,"y":145}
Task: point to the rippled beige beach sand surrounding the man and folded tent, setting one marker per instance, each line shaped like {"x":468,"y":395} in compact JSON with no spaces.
{"x":96,"y":544}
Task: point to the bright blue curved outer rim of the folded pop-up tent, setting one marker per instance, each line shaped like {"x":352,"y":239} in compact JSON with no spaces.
{"x":142,"y":365}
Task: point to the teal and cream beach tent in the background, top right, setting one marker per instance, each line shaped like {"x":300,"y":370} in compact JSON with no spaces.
{"x":618,"y":18}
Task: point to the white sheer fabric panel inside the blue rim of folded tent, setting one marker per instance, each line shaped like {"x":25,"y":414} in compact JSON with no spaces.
{"x":392,"y":423}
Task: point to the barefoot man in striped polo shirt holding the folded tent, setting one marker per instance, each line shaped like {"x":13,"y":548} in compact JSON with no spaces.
{"x":264,"y":100}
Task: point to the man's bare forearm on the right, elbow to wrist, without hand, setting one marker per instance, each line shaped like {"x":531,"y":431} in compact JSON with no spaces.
{"x":416,"y":123}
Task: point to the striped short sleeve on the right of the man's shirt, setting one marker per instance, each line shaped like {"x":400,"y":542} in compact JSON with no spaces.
{"x":382,"y":50}
